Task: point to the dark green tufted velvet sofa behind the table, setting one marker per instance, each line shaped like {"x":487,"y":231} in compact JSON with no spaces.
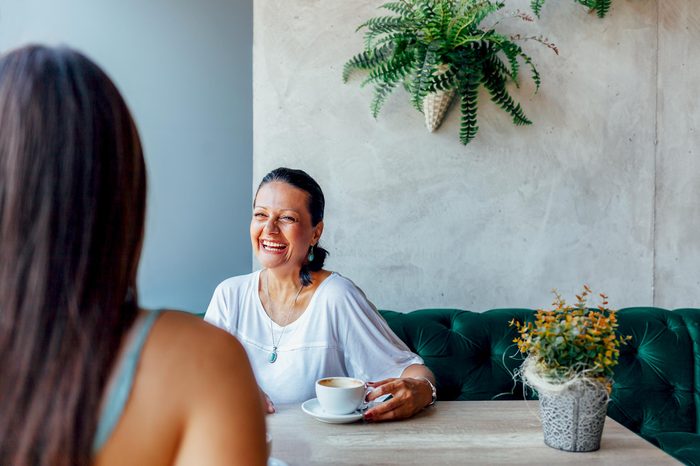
{"x":655,"y":392}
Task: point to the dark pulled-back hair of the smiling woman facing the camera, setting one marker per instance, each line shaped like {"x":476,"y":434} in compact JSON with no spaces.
{"x":317,"y":203}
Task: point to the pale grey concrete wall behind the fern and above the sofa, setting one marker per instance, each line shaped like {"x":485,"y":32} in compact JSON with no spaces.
{"x":602,"y":189}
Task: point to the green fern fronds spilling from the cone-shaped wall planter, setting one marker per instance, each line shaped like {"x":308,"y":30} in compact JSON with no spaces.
{"x":432,"y":46}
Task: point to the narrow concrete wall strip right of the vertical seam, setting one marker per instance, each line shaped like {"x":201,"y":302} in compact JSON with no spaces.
{"x":677,"y":245}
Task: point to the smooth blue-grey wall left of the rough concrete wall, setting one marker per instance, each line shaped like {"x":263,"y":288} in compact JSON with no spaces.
{"x":185,"y":69}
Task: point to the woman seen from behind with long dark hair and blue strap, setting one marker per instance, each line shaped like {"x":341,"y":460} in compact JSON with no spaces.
{"x":86,"y":376}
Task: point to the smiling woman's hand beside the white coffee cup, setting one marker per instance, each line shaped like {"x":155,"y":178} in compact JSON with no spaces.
{"x":409,"y":396}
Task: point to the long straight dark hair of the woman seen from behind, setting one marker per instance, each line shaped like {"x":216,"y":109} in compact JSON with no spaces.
{"x":72,"y":204}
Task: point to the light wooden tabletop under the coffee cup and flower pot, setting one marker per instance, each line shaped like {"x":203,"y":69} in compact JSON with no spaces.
{"x":451,"y":432}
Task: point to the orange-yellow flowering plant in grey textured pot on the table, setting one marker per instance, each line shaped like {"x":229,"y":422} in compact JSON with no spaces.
{"x":571,"y":351}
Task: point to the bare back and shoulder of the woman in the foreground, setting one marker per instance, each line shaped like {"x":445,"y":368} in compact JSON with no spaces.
{"x":194,"y":401}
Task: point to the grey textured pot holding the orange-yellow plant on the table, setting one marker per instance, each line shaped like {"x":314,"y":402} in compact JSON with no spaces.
{"x":573,"y":419}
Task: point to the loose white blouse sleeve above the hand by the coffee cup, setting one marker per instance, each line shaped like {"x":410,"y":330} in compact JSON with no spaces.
{"x":372,"y":351}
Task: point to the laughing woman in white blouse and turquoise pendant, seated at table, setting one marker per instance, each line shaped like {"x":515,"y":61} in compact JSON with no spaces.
{"x":300,"y":322}
